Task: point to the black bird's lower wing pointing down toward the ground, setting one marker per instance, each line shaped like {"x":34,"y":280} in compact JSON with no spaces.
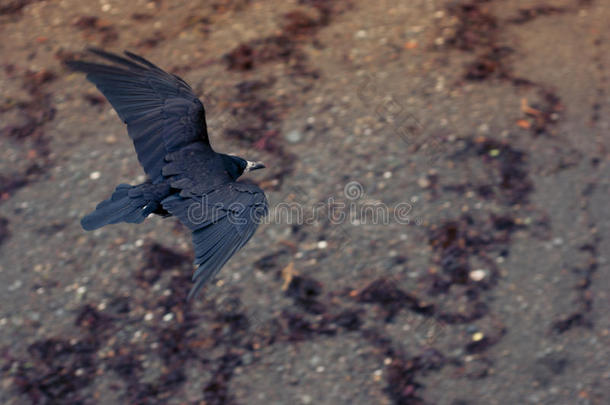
{"x":222,"y":222}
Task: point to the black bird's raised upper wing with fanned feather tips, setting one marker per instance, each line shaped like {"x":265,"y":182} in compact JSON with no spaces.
{"x":161,"y":112}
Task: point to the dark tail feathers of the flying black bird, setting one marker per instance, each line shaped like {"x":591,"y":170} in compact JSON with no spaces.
{"x":127,"y":204}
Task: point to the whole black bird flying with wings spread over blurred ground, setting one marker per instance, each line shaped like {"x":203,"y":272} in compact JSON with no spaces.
{"x":185,"y":176}
